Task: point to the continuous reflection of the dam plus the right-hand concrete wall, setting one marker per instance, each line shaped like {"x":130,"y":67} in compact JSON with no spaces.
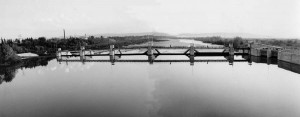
{"x":191,"y":59}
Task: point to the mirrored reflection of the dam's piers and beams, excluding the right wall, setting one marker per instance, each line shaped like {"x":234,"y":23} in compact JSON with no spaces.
{"x":153,"y":58}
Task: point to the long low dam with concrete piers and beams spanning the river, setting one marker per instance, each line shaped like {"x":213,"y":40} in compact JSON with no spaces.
{"x":154,"y":51}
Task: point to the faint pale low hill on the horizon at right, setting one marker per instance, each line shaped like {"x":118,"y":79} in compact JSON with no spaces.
{"x":225,"y":35}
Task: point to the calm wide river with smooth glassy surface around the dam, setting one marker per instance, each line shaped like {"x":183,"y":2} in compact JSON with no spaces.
{"x":48,"y":88}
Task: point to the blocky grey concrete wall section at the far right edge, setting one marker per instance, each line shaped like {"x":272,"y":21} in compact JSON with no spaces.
{"x":291,"y":56}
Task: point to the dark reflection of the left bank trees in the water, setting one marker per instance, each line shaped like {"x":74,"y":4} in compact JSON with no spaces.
{"x":7,"y":73}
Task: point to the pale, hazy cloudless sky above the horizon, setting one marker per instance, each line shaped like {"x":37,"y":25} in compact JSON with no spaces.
{"x":35,"y":18}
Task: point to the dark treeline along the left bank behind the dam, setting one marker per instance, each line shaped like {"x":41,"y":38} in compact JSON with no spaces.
{"x":43,"y":46}
